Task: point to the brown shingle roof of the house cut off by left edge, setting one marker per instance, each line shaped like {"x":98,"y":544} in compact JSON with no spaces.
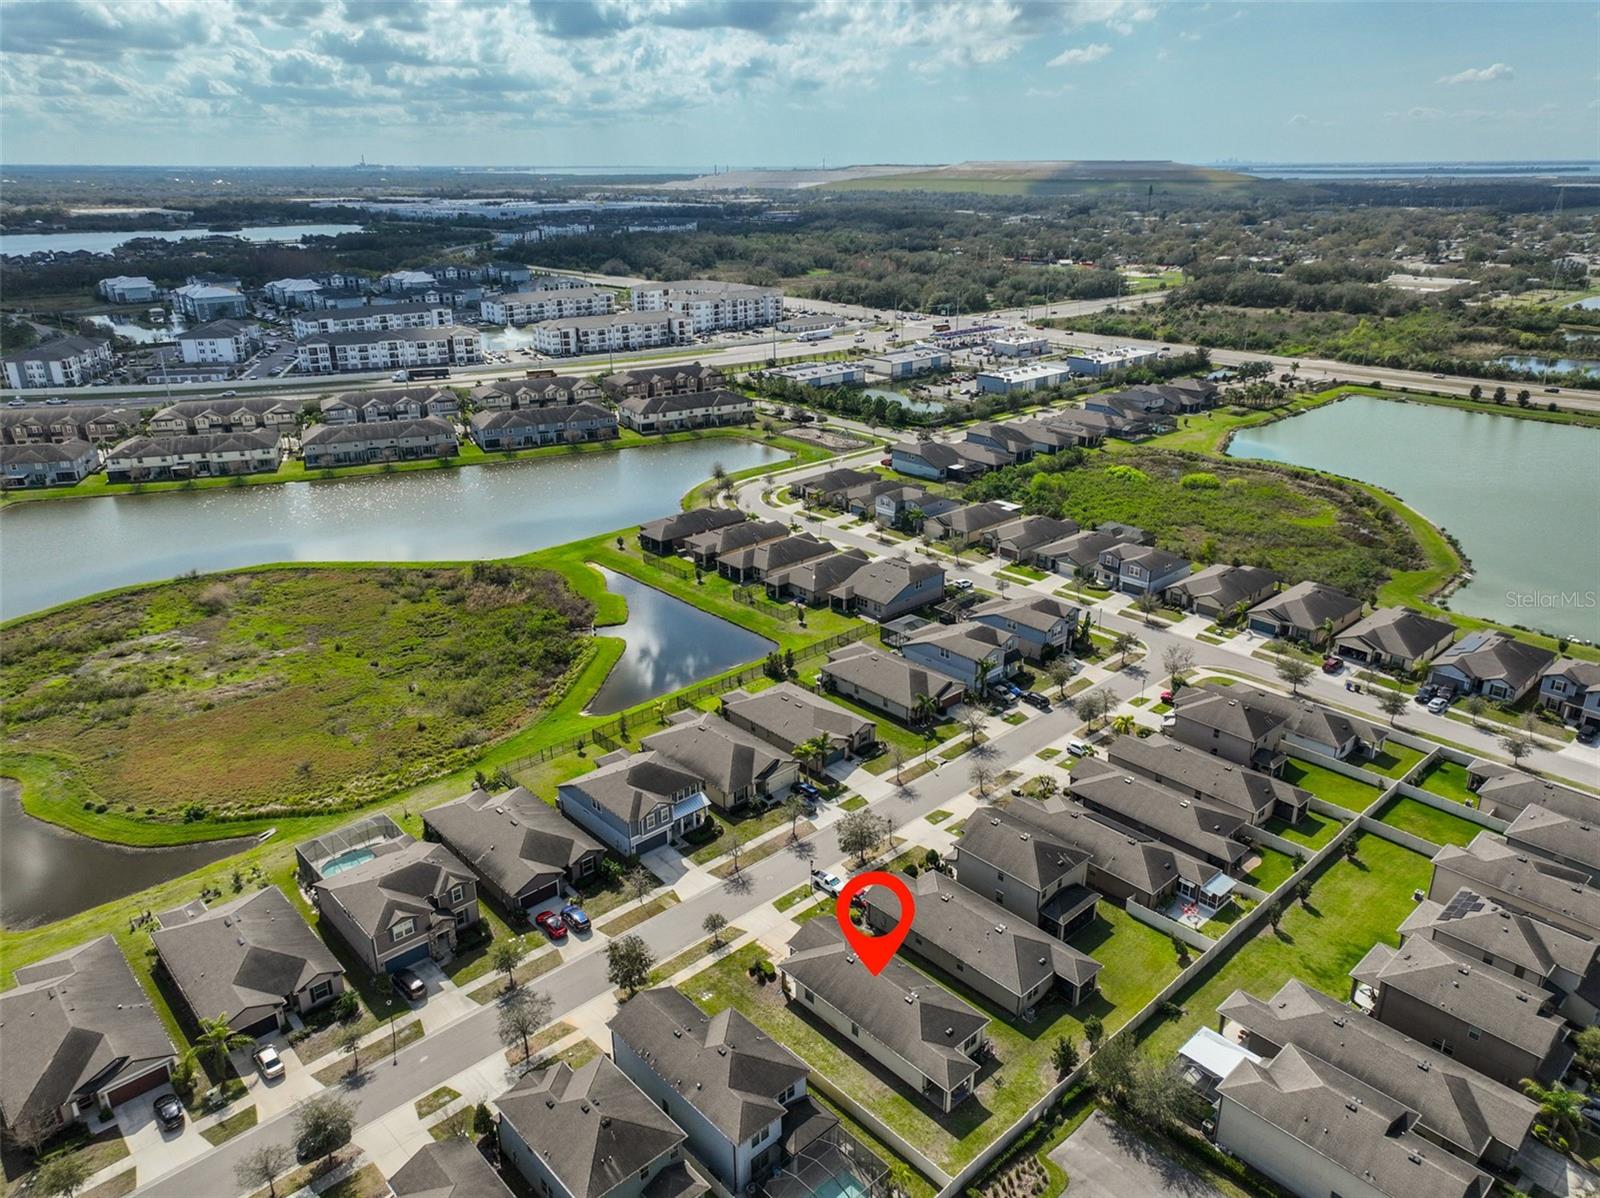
{"x":74,"y":1024}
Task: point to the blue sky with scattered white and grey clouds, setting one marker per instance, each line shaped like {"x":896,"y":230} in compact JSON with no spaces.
{"x":700,"y":84}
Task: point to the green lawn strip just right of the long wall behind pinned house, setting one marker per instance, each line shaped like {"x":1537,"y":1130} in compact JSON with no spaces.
{"x":1353,"y":906}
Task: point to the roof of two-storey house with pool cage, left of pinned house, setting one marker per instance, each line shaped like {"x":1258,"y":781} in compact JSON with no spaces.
{"x":724,"y":1066}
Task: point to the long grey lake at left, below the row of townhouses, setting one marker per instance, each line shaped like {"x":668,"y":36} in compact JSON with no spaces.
{"x":63,"y":549}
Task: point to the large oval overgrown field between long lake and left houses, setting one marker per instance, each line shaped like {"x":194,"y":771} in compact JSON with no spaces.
{"x":274,"y":693}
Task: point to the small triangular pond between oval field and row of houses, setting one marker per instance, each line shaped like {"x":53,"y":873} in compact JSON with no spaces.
{"x":671,"y":645}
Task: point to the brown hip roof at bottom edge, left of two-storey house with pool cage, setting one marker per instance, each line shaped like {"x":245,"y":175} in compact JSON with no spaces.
{"x":591,"y":1127}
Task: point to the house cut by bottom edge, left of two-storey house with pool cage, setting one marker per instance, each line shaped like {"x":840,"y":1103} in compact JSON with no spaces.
{"x":591,"y":1133}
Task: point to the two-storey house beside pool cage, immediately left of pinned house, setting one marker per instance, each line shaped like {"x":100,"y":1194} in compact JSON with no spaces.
{"x":726,"y":1082}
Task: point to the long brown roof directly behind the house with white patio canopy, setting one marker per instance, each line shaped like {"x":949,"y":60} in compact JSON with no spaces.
{"x":1458,"y":1104}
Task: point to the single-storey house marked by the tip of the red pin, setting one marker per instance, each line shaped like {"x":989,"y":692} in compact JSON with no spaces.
{"x":919,"y":1031}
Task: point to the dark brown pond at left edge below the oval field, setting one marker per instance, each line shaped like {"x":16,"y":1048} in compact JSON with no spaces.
{"x":52,"y":874}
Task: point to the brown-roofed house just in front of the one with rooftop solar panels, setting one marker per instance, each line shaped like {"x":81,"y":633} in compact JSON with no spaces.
{"x":1487,"y":1020}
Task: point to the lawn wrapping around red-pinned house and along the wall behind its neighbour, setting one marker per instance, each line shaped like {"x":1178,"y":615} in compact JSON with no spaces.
{"x":1137,"y":962}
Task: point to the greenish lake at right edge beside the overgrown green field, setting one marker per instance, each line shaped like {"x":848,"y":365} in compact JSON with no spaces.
{"x":1521,"y":497}
